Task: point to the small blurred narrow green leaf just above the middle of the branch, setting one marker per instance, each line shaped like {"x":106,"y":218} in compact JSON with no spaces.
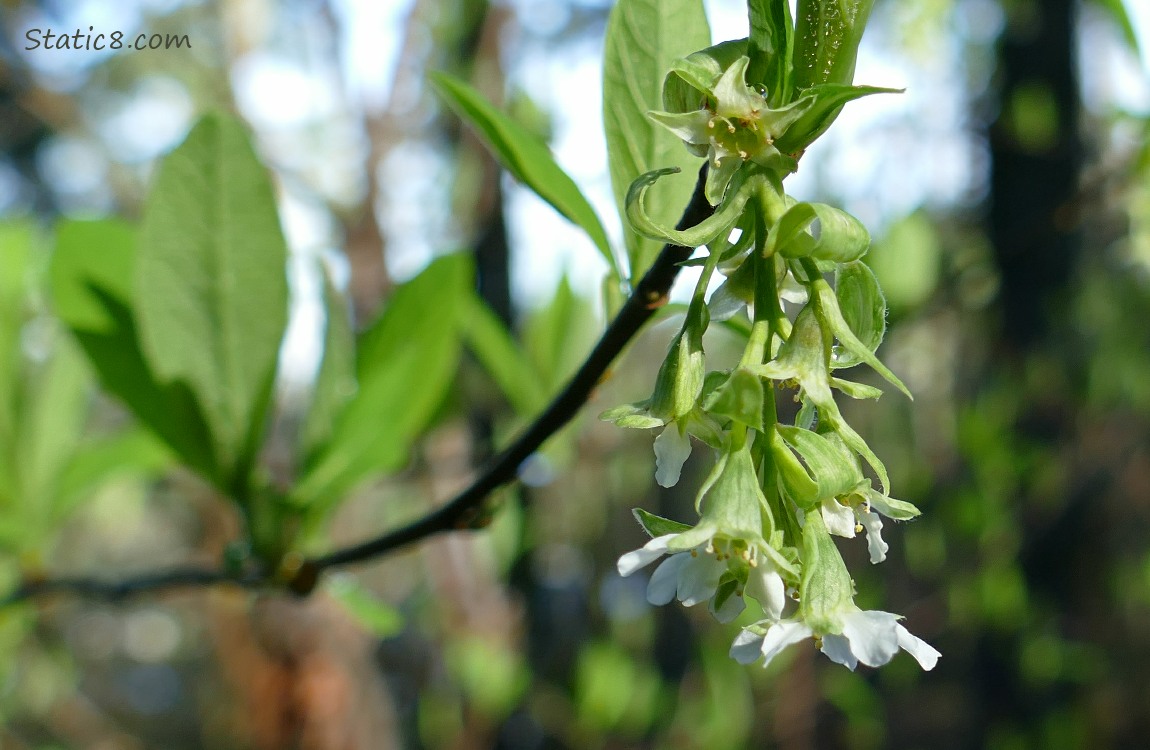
{"x":503,"y":358}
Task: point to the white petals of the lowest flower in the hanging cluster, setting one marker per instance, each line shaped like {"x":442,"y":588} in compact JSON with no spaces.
{"x":869,"y":637}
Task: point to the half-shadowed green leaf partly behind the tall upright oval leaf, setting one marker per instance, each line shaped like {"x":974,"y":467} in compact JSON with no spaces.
{"x":91,"y":280}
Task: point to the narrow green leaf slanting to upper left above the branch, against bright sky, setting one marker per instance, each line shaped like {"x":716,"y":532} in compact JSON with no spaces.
{"x":528,"y":160}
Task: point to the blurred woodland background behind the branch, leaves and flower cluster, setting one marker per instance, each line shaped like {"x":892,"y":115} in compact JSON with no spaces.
{"x":1009,"y":192}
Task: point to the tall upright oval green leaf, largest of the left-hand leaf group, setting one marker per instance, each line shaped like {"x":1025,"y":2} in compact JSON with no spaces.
{"x":211,"y":287}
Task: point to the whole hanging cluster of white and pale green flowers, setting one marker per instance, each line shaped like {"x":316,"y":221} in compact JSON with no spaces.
{"x":778,"y":493}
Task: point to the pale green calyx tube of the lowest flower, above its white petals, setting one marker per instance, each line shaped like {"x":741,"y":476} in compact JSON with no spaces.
{"x":826,"y":588}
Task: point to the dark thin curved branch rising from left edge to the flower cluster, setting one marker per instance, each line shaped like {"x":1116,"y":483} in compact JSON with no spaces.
{"x":463,"y":511}
